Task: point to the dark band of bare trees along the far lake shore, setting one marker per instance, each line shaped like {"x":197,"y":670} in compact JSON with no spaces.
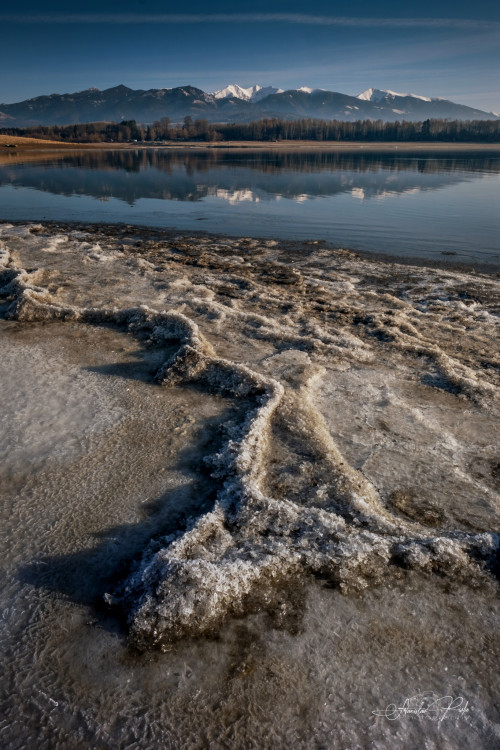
{"x":270,"y":130}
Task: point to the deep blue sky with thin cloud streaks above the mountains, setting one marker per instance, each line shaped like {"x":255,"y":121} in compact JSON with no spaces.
{"x":445,"y":48}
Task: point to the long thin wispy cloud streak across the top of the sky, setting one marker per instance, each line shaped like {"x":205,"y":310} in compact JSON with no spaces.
{"x":291,"y":18}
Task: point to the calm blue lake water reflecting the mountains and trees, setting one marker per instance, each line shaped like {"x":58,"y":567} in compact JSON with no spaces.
{"x":428,"y":206}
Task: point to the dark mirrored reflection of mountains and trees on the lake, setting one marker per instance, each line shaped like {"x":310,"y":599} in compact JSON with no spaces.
{"x":244,"y":176}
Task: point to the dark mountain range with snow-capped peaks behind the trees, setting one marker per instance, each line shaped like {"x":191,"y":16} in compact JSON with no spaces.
{"x":230,"y":104}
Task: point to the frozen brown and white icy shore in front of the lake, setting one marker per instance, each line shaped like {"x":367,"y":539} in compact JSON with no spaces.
{"x":287,"y":416}
